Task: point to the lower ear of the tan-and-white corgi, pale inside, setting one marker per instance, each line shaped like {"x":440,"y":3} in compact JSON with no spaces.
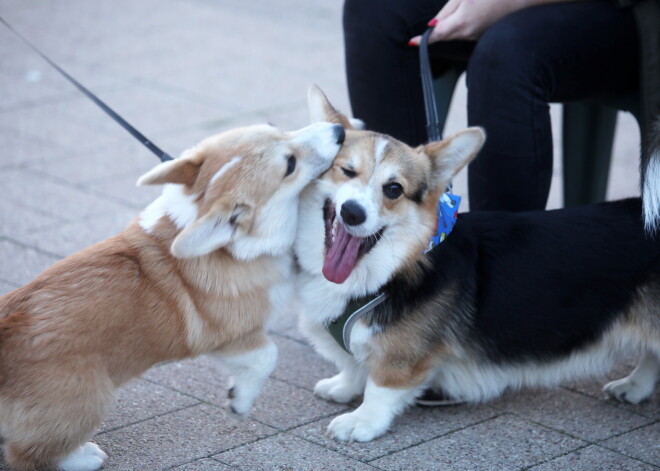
{"x":218,"y":227}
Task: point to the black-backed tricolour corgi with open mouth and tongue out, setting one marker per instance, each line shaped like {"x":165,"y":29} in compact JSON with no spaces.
{"x":508,"y":300}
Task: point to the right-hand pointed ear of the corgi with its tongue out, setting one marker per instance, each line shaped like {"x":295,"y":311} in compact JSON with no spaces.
{"x":450,"y":155}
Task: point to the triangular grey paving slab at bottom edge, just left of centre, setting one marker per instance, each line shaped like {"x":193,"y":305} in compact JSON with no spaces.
{"x":284,"y":453}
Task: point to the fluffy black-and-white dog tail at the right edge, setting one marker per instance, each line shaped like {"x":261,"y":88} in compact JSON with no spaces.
{"x":650,"y":170}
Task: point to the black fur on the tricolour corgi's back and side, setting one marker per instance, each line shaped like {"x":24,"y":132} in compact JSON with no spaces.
{"x":532,"y":286}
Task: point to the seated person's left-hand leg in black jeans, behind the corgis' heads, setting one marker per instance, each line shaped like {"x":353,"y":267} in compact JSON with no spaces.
{"x":382,"y":70}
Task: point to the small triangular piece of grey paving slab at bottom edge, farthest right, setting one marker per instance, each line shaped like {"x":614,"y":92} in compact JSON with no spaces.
{"x":594,"y":457}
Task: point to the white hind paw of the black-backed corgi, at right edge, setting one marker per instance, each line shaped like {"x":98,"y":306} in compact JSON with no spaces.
{"x":640,"y":384}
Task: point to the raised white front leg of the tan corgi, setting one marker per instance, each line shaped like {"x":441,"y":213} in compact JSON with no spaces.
{"x":249,"y":370}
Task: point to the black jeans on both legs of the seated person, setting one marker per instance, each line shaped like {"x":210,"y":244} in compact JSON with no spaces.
{"x":551,"y":53}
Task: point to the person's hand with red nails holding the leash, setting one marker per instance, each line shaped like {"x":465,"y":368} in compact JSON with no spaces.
{"x":468,"y":19}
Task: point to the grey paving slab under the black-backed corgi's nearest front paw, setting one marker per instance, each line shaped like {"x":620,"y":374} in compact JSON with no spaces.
{"x":415,"y":426}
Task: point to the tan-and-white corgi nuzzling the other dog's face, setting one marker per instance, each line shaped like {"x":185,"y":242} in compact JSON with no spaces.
{"x":197,"y":272}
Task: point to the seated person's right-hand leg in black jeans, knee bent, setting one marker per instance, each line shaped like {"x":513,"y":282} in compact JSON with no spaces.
{"x":552,"y":53}
